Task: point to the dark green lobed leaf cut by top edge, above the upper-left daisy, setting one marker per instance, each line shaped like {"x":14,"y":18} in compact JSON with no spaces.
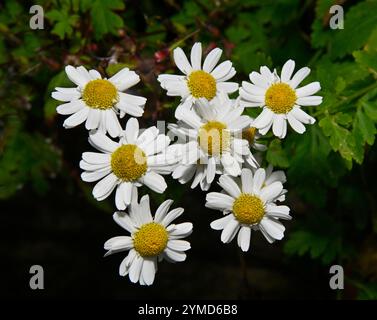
{"x":104,"y":20}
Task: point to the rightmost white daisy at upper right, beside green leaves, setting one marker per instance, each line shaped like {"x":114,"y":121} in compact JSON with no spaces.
{"x":280,"y":99}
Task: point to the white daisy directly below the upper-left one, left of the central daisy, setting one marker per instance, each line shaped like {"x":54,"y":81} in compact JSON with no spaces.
{"x":125,"y":165}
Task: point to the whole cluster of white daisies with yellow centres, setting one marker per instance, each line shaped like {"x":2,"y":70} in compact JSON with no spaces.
{"x":213,"y":138}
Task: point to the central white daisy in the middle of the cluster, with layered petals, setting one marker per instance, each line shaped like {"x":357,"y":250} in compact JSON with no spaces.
{"x":213,"y":142}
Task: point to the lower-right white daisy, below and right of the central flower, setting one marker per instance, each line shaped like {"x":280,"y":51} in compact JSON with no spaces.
{"x":247,"y":206}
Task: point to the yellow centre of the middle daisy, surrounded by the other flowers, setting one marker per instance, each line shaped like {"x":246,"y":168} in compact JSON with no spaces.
{"x":213,"y":138}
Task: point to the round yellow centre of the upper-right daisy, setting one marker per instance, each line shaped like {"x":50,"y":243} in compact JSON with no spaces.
{"x":280,"y":98}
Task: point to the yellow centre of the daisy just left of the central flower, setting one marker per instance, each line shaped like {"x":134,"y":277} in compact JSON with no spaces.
{"x":128,"y":162}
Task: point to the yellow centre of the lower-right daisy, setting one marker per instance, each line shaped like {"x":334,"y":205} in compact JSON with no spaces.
{"x":248,"y":209}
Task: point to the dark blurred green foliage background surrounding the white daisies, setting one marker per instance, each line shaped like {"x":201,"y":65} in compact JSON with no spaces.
{"x":48,"y":215}
